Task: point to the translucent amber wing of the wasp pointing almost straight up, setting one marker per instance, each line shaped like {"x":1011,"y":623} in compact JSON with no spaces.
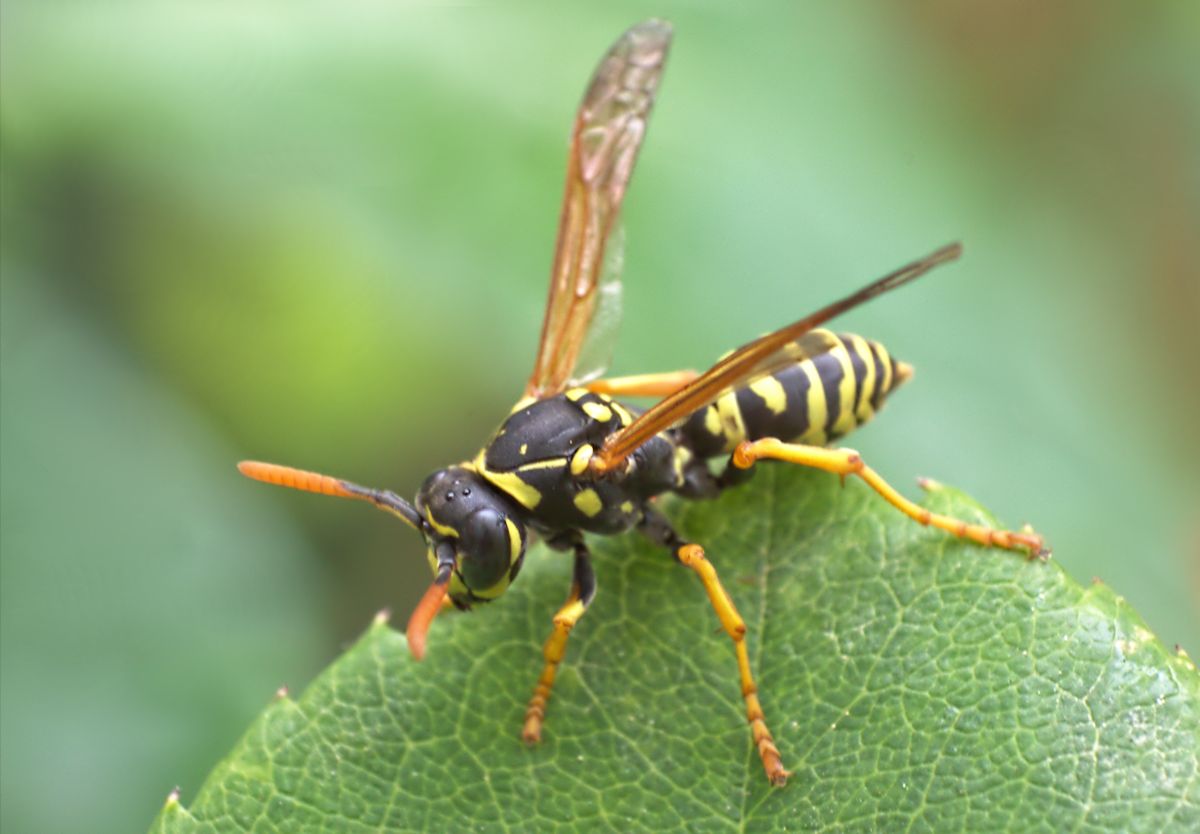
{"x":609,"y":130}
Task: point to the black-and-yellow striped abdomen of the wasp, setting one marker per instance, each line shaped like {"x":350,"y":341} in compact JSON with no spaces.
{"x":838,"y":383}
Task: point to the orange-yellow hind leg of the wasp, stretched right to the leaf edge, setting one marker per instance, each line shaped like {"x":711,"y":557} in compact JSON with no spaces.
{"x":849,"y":463}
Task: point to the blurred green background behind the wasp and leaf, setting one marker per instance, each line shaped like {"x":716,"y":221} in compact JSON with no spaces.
{"x":321,"y":235}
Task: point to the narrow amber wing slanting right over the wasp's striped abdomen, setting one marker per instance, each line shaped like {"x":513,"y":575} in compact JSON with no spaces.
{"x":755,"y":359}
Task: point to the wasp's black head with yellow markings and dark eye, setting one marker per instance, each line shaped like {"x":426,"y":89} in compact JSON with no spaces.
{"x":489,"y":538}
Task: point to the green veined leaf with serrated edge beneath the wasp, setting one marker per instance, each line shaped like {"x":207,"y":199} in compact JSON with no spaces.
{"x":913,"y":682}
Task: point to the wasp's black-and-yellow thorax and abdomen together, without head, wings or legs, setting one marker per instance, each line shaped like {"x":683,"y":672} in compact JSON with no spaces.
{"x":539,"y":457}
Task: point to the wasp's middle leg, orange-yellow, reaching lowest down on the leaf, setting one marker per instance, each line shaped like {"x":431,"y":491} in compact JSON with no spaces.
{"x":693,"y":556}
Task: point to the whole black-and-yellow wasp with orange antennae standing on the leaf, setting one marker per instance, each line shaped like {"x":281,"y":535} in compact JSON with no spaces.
{"x":573,"y":459}
